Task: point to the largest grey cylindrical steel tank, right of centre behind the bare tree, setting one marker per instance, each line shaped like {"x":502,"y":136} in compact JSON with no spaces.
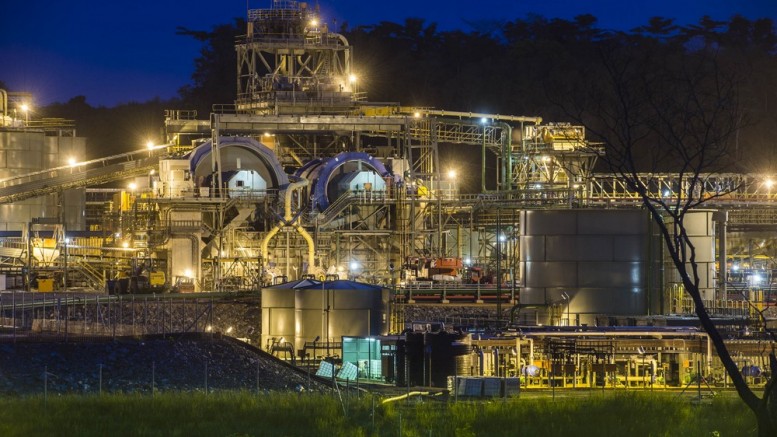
{"x":587,"y":262}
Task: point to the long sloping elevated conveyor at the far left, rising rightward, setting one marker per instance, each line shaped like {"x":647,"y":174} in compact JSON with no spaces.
{"x":95,"y":172}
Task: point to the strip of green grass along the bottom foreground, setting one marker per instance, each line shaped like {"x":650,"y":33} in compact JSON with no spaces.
{"x":249,"y":414}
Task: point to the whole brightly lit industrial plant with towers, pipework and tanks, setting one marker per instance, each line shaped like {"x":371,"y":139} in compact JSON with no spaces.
{"x":363,"y":243}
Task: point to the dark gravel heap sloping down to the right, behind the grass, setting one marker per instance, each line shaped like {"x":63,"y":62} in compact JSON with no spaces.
{"x":187,"y":362}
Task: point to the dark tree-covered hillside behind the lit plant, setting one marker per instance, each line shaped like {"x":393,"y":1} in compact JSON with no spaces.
{"x":553,"y":68}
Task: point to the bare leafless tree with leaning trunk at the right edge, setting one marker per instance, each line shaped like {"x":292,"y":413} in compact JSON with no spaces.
{"x":658,"y":105}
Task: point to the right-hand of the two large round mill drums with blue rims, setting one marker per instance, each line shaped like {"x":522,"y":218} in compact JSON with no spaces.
{"x":347,"y":172}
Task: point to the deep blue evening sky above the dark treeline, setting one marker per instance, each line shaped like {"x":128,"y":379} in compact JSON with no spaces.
{"x":119,"y":51}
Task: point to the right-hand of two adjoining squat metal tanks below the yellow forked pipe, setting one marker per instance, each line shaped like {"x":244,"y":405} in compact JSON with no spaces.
{"x":334,"y":309}
